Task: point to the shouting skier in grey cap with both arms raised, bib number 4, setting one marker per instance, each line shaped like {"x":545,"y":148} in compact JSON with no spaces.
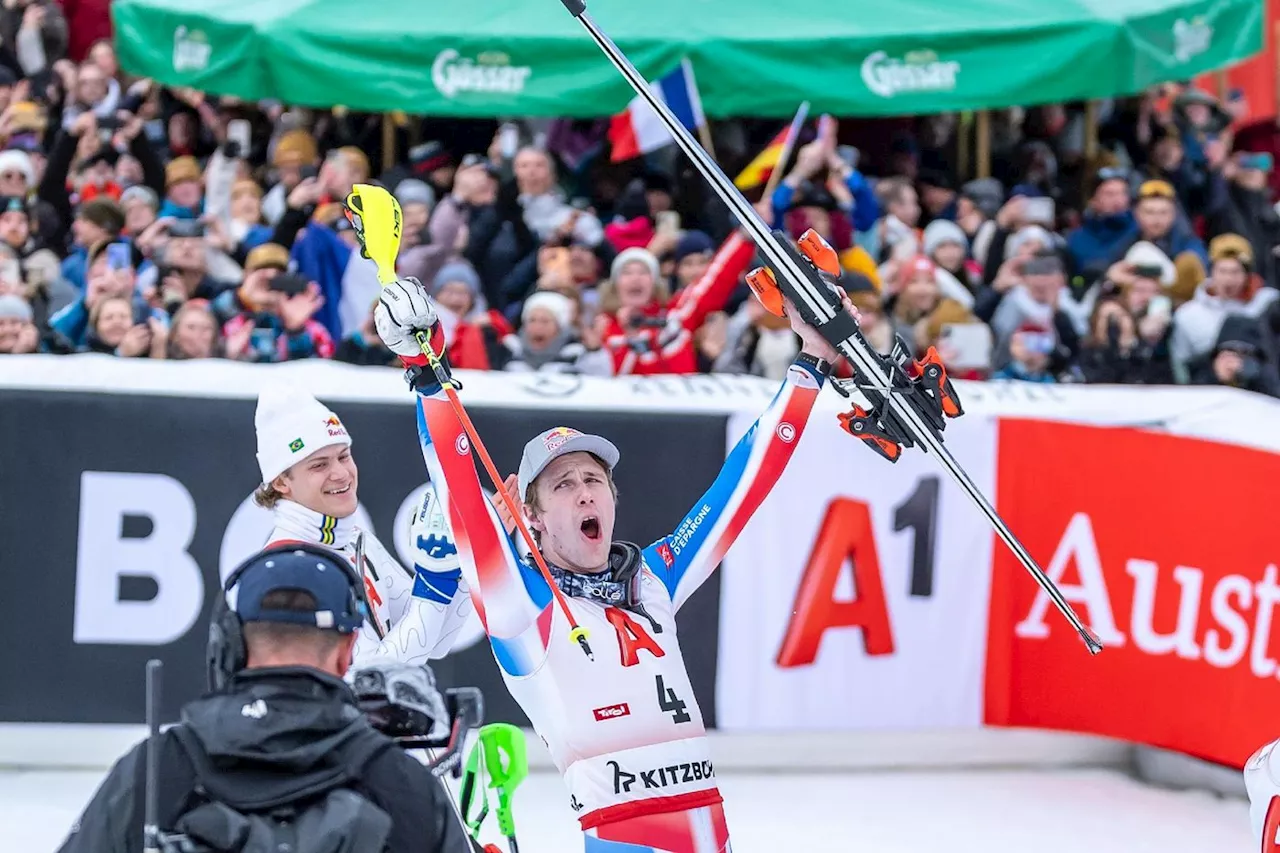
{"x":624,"y":729}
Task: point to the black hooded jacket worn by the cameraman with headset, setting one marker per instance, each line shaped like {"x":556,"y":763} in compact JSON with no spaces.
{"x":308,"y":710}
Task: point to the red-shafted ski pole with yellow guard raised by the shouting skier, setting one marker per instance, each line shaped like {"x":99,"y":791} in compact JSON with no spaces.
{"x":376,"y":217}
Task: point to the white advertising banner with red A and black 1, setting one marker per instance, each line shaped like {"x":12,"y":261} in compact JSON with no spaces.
{"x":906,"y":601}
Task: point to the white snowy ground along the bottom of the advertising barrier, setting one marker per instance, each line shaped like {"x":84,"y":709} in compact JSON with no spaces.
{"x":1062,"y":811}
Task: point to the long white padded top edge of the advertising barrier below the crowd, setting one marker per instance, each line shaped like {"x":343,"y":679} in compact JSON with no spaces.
{"x":1219,"y":414}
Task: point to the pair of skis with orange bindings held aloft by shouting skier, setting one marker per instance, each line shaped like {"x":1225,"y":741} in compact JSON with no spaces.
{"x":909,"y":400}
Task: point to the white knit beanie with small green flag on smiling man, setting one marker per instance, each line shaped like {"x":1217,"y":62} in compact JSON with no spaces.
{"x":291,"y":426}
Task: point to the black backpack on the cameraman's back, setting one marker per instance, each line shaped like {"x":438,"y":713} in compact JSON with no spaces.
{"x":319,"y":814}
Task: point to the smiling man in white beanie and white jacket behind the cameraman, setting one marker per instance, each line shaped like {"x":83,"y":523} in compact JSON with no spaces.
{"x":310,"y":483}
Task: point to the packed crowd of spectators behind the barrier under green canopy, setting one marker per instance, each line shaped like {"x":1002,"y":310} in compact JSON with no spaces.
{"x":157,"y":223}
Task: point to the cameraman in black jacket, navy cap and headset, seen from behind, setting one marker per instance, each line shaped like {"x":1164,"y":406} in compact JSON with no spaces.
{"x":281,"y":727}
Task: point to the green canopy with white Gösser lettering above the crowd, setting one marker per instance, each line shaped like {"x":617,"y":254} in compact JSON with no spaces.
{"x":486,"y":58}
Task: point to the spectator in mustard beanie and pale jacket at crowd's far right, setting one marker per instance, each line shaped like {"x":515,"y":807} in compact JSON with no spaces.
{"x":1232,"y":290}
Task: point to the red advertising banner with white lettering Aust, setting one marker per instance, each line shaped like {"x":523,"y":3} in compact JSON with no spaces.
{"x":1168,"y":549}
